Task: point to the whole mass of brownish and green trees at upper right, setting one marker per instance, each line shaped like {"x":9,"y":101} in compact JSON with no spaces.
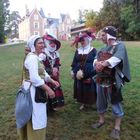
{"x":124,"y":15}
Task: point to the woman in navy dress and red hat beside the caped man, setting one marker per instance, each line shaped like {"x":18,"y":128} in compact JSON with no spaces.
{"x":82,"y":70}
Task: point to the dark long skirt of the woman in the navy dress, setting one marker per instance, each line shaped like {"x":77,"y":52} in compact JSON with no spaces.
{"x":85,"y":93}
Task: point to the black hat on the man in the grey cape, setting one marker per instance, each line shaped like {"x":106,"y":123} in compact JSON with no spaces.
{"x":110,"y":30}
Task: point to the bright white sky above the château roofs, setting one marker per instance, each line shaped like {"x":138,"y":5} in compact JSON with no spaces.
{"x":55,"y":7}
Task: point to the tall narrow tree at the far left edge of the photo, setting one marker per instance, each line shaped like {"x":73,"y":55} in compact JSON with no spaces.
{"x":4,"y":16}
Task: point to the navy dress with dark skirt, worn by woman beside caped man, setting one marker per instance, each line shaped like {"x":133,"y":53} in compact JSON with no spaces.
{"x":84,"y":89}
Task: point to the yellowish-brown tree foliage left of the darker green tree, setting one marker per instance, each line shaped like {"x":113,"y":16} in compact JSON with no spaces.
{"x":108,"y":15}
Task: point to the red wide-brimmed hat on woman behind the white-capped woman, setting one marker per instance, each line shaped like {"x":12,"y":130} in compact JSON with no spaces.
{"x":51,"y":38}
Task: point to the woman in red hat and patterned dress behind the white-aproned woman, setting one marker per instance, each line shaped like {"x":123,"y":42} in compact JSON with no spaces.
{"x":51,"y":61}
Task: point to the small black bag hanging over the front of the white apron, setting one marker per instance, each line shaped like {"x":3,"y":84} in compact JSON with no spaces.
{"x":40,"y":95}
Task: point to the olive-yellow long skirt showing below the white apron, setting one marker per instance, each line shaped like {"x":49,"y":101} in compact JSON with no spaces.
{"x":27,"y":133}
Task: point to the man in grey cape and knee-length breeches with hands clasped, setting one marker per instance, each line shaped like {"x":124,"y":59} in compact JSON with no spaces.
{"x":113,"y":71}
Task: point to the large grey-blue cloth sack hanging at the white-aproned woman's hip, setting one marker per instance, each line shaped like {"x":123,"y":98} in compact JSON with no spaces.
{"x":23,"y":107}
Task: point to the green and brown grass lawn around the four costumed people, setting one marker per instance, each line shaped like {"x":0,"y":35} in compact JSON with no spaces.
{"x":68,"y":123}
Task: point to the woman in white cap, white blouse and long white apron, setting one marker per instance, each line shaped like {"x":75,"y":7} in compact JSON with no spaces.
{"x":36,"y":75}
